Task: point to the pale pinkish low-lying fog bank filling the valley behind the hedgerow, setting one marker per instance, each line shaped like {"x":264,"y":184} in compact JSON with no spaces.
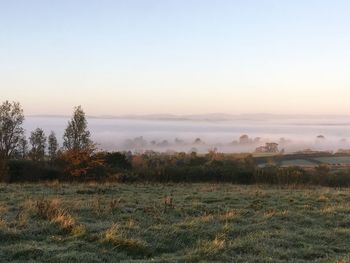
{"x":200,"y":134}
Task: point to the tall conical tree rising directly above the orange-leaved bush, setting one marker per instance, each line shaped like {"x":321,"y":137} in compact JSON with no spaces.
{"x":77,"y":136}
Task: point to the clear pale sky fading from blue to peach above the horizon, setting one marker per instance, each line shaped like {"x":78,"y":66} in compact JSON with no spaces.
{"x":178,"y":57}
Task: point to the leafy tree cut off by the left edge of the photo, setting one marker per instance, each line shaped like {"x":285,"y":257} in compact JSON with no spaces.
{"x":11,"y":130}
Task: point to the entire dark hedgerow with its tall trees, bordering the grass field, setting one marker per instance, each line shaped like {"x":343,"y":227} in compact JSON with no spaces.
{"x":41,"y":158}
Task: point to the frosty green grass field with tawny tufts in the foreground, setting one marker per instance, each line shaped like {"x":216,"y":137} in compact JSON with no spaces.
{"x":203,"y":223}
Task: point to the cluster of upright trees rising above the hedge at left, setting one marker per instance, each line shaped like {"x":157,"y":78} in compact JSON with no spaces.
{"x":13,"y":143}
